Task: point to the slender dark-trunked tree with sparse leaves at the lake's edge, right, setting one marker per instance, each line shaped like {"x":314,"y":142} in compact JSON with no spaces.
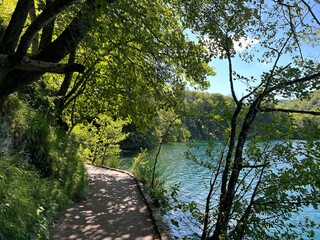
{"x":257,"y":181}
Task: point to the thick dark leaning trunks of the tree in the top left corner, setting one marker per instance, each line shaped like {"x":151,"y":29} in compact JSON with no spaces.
{"x":13,"y":80}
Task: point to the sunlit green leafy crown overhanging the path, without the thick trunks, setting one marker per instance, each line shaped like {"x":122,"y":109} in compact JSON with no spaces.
{"x":137,"y":60}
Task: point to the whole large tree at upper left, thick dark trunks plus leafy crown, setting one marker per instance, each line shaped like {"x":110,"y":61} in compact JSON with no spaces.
{"x":143,"y":52}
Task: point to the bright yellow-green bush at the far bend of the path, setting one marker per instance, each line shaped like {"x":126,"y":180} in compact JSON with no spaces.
{"x":101,"y":140}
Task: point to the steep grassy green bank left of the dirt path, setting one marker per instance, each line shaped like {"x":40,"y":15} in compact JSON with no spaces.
{"x":32,"y":196}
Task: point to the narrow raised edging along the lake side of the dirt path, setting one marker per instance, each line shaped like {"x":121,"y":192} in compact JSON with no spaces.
{"x":155,"y":214}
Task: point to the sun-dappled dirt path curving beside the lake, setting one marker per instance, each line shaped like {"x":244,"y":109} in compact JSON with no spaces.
{"x":114,"y":210}
